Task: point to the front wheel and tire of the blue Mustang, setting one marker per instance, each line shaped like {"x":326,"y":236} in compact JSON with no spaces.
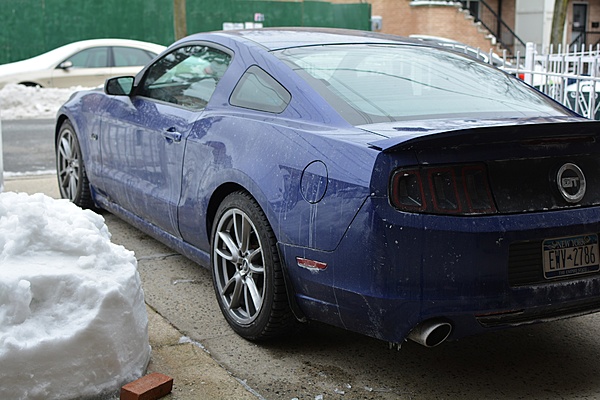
{"x":72,"y":178}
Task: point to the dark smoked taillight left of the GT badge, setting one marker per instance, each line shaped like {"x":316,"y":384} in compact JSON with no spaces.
{"x":450,"y":190}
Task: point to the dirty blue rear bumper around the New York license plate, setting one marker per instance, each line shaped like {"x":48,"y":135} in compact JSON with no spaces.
{"x":394,"y":270}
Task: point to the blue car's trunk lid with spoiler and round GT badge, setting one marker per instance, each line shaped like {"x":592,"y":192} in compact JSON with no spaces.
{"x":532,"y":165}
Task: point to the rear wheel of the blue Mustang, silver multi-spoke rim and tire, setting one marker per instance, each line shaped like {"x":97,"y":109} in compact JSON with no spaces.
{"x":246,"y":268}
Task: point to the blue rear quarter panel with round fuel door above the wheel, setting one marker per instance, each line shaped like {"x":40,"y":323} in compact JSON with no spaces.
{"x":269,"y":158}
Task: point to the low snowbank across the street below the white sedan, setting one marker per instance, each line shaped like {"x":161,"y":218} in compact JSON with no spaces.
{"x":19,"y":102}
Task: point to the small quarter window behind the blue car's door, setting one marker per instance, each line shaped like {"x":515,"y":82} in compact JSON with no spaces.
{"x":258,"y":90}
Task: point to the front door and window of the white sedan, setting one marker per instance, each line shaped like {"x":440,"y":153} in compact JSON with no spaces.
{"x":88,"y":68}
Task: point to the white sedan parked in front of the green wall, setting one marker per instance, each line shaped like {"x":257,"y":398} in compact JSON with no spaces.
{"x":86,"y":63}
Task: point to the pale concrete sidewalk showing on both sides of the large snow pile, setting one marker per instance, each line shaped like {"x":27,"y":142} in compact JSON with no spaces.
{"x":195,"y":374}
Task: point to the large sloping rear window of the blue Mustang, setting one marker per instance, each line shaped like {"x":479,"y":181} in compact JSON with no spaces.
{"x":381,"y":83}
